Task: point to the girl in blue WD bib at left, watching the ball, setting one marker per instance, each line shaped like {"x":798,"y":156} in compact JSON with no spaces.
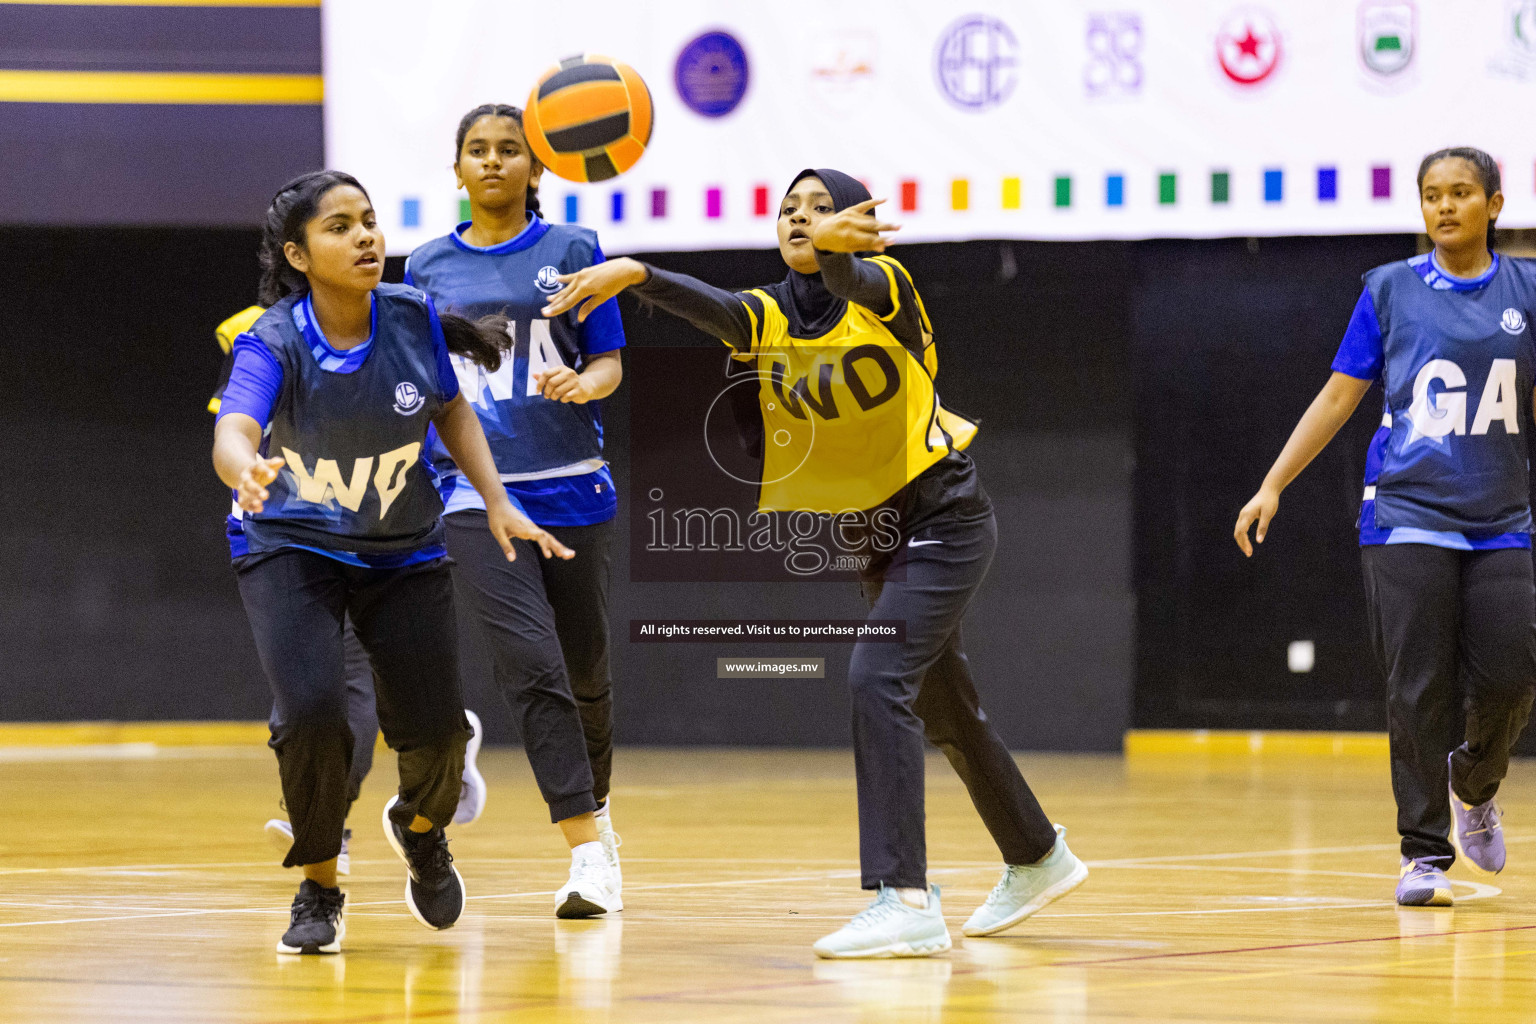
{"x":322,"y":435}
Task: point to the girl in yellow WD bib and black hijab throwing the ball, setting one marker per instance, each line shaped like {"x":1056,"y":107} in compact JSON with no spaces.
{"x":846,"y":362}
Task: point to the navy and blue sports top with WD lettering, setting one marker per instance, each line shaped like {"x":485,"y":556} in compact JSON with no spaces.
{"x":353,"y":429}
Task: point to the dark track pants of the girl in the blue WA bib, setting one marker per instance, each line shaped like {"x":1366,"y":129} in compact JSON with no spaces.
{"x":546,"y":623}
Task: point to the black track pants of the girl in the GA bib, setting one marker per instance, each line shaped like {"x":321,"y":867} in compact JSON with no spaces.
{"x":1455,"y":635}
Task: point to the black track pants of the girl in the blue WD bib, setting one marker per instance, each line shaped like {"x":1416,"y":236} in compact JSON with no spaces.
{"x":297,"y":603}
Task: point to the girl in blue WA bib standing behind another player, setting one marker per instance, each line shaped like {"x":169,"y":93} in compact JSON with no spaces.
{"x":546,"y":623}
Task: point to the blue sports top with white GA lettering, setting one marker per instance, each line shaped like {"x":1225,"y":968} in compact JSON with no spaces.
{"x":1457,"y":360}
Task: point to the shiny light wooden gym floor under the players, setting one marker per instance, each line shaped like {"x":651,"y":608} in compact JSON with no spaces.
{"x":137,"y":887}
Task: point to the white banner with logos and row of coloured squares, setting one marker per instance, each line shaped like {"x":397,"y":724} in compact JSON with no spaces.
{"x":981,"y":119}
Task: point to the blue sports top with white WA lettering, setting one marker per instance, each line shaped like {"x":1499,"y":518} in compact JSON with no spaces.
{"x":549,"y":454}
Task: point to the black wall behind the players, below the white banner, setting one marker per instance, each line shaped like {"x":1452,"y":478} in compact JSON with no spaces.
{"x":1131,"y":394}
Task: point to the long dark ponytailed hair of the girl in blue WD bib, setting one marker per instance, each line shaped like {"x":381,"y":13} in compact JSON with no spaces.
{"x":483,"y":342}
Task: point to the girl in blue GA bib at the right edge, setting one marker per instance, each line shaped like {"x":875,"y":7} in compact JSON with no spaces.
{"x":1446,"y":520}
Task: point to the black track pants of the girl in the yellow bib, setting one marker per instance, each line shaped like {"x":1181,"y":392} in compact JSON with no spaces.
{"x":904,"y":693}
